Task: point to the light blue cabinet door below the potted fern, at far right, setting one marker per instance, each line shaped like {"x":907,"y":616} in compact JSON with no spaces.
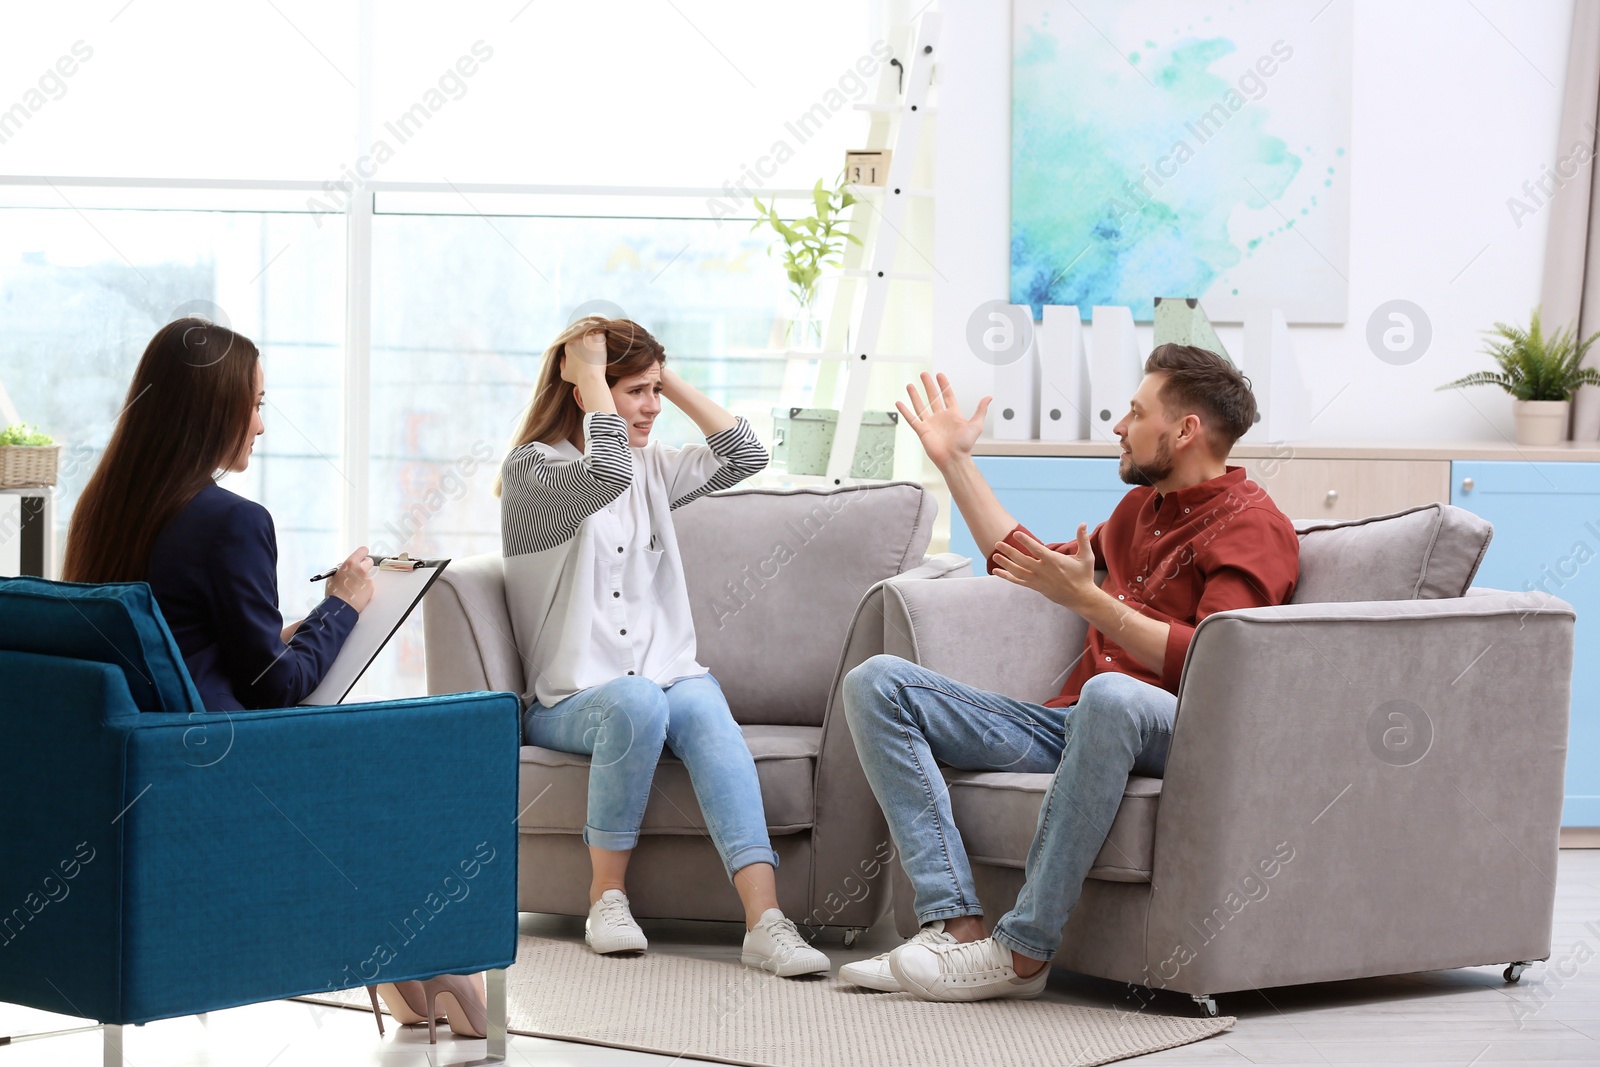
{"x":1548,"y":537}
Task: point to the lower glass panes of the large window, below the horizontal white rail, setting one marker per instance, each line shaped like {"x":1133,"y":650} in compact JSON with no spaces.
{"x":463,"y":306}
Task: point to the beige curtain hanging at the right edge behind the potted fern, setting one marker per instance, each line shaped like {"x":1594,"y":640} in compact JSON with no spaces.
{"x":1572,"y":258}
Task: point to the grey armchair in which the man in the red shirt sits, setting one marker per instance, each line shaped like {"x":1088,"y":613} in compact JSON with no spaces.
{"x":1366,"y":781}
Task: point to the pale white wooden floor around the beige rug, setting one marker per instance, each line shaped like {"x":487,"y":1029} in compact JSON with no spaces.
{"x":1447,"y":1018}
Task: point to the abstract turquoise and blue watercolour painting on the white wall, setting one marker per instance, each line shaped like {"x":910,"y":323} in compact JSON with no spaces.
{"x":1166,"y":148}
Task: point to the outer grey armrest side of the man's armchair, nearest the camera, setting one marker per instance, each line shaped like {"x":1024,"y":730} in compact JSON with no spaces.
{"x":1362,"y":789}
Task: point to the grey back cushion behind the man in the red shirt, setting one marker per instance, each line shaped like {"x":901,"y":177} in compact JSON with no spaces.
{"x":1426,"y":553}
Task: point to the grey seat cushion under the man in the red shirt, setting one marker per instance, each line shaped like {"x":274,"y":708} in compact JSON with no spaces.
{"x":999,"y":815}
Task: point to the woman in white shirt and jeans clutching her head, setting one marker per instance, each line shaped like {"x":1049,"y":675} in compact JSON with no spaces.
{"x":602,"y":618}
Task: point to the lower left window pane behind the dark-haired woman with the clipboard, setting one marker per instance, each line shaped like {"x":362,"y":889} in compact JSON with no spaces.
{"x":84,"y":289}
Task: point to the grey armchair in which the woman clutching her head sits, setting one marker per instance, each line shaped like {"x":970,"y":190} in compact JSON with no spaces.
{"x":780,"y":583}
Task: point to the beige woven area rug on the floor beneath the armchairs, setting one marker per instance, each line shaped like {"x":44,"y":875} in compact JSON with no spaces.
{"x":730,"y":1013}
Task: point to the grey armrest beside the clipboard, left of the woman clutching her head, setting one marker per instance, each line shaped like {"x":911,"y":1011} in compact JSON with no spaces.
{"x":466,"y":631}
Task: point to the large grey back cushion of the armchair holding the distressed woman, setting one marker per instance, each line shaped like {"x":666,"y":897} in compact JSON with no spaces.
{"x":775,"y":578}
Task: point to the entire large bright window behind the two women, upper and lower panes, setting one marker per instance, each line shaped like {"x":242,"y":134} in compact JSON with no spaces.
{"x":201,"y":158}
